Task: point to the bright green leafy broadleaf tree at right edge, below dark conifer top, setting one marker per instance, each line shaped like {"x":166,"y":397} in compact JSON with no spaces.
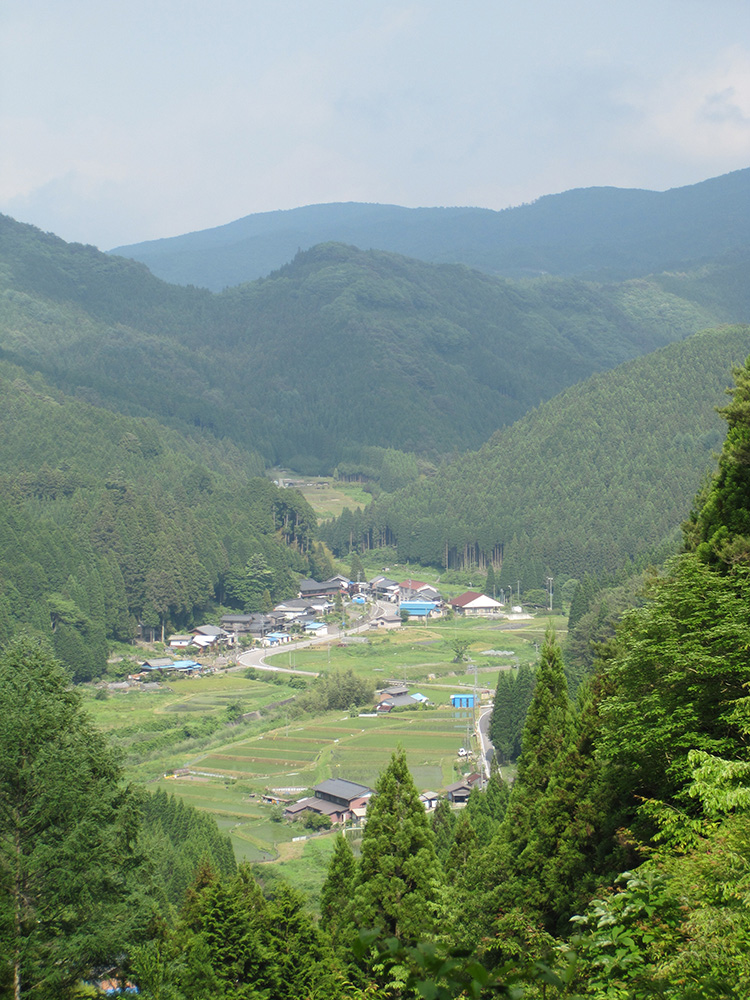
{"x":680,"y":666}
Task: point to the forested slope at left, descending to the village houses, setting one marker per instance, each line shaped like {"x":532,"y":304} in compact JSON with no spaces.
{"x":108,"y":521}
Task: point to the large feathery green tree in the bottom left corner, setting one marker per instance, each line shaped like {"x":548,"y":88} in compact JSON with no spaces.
{"x":66,"y":830}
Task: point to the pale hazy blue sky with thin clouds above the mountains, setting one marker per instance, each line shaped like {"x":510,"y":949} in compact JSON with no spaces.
{"x":122,"y":122}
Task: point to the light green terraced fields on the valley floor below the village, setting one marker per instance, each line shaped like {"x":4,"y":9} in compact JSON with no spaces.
{"x":224,"y":769}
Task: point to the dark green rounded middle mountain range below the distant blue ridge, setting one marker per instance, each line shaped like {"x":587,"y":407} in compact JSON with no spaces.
{"x":339,"y":351}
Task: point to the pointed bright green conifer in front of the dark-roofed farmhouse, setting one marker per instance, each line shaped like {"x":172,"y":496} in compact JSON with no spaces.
{"x":398,"y":877}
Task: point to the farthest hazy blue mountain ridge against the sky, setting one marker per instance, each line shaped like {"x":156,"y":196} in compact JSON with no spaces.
{"x":604,"y":233}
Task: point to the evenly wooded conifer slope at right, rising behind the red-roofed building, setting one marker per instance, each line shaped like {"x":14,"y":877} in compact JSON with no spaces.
{"x":590,"y":482}
